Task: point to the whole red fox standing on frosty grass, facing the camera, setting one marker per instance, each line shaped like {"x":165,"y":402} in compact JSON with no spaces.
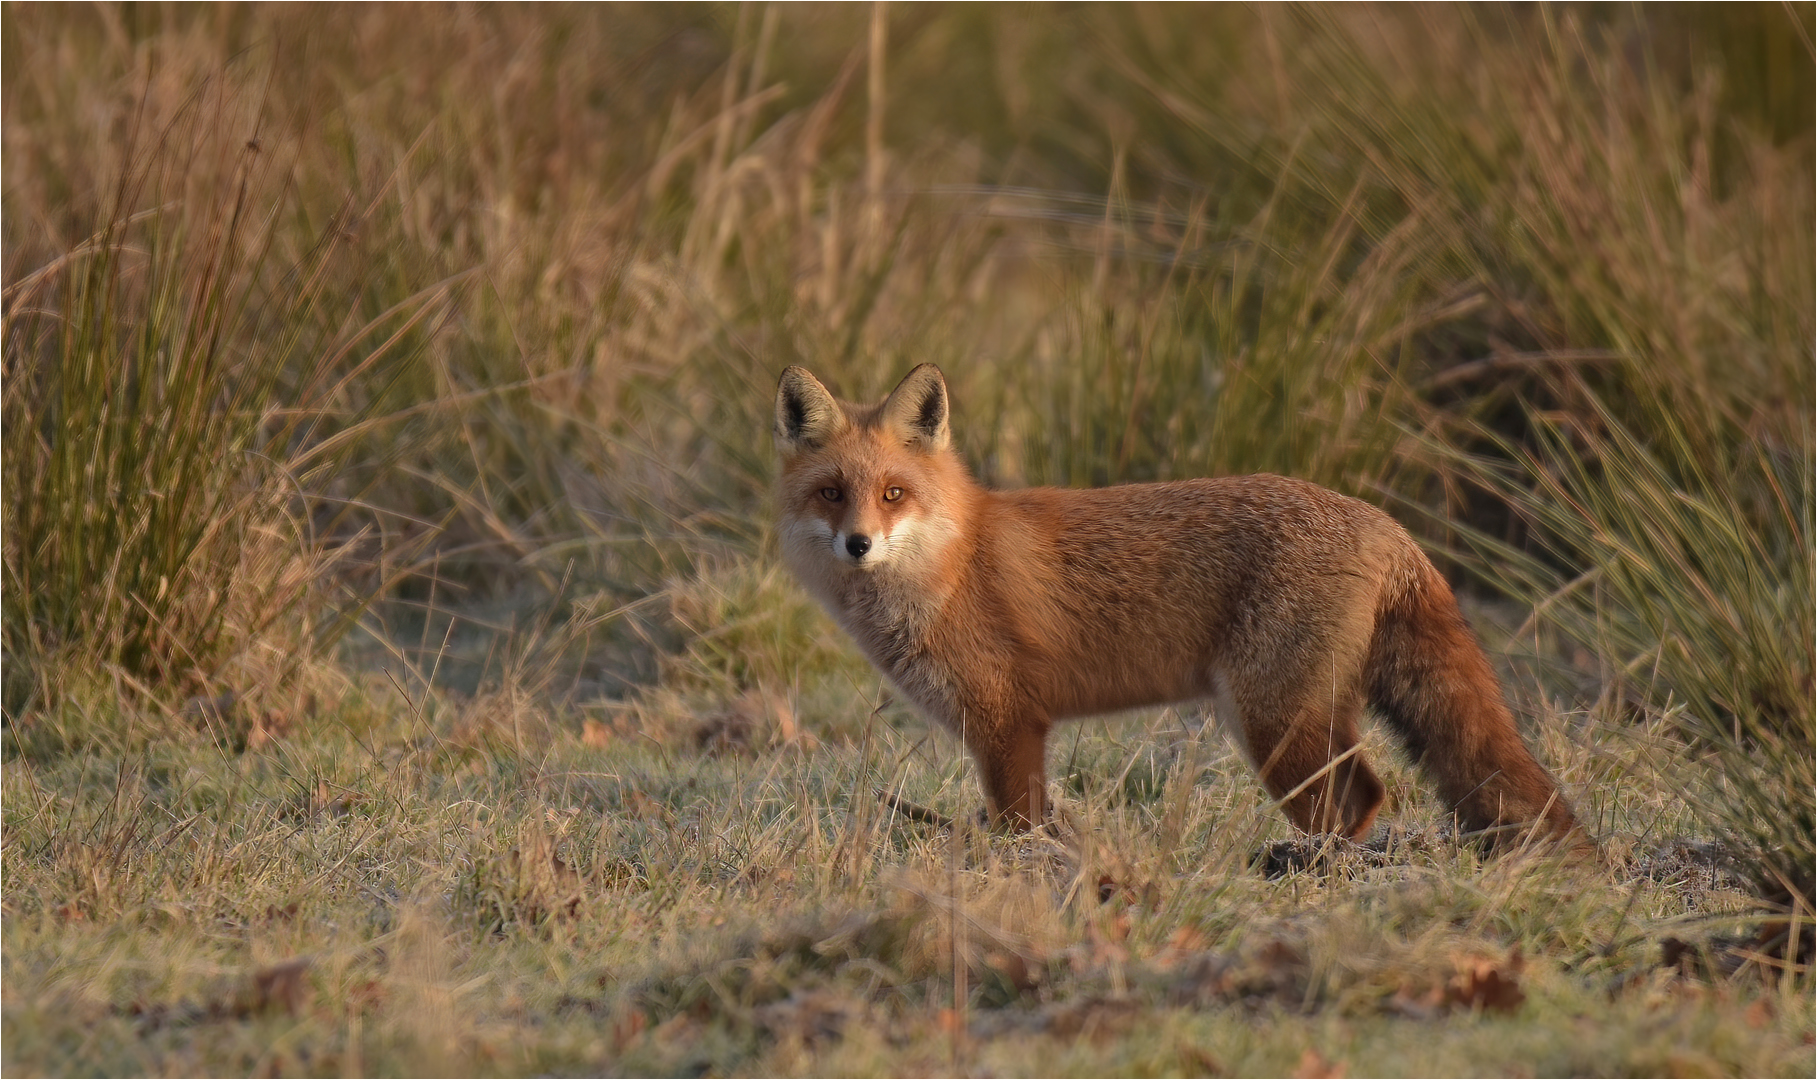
{"x":1286,"y":605}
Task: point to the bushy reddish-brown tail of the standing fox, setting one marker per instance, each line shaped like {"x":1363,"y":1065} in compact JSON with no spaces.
{"x":1431,"y":681}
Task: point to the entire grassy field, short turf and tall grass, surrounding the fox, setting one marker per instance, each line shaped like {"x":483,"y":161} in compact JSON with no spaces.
{"x":399,"y":675}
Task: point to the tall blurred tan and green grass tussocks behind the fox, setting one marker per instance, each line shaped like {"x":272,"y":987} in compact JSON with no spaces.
{"x":326,"y":323}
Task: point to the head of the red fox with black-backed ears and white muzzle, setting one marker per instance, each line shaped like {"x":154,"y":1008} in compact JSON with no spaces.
{"x":868,"y":488}
